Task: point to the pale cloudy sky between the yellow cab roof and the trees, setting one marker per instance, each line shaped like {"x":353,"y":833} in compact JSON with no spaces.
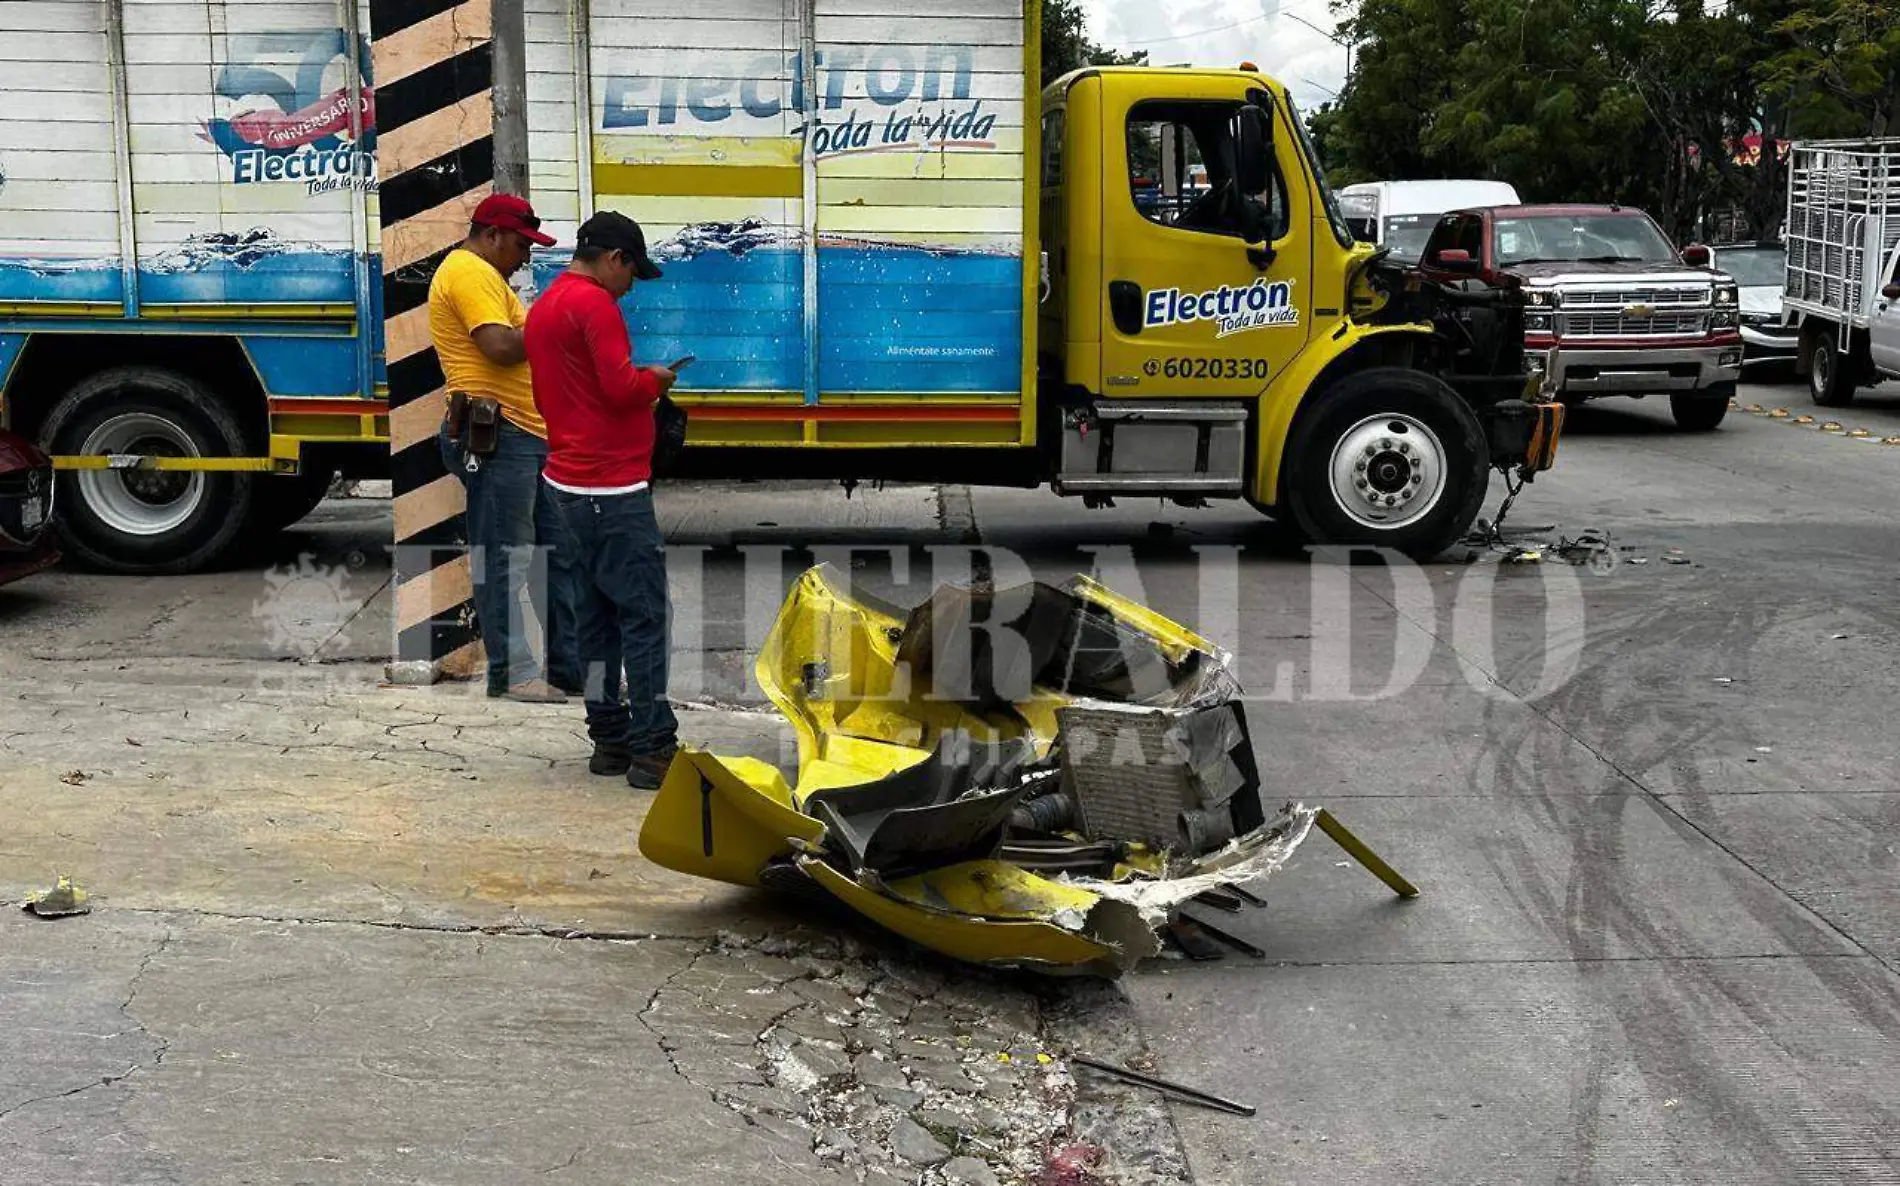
{"x":1223,"y":33}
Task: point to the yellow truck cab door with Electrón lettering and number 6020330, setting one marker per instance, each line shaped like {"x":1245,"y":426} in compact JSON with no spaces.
{"x":1190,"y":311}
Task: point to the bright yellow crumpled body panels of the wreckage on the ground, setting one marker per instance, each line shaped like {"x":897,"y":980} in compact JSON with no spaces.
{"x":858,"y":723}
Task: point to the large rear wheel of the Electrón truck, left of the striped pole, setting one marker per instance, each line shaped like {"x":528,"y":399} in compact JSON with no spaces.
{"x":147,"y":522}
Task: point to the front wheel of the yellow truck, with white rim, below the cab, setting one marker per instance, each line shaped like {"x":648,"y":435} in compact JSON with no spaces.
{"x":1392,"y":459}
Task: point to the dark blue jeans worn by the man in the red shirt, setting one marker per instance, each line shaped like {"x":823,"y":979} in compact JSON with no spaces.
{"x":620,"y":605}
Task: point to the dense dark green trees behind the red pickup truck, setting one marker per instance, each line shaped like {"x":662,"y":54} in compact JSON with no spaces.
{"x":1637,"y":102}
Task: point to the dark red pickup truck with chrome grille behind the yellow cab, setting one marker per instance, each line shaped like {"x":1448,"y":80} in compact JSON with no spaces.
{"x":1605,"y":288}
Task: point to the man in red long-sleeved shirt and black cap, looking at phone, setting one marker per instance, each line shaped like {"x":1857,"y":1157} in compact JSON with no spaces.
{"x":599,"y":411}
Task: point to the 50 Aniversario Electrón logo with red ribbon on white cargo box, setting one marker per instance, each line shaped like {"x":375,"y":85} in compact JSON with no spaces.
{"x":297,"y":130}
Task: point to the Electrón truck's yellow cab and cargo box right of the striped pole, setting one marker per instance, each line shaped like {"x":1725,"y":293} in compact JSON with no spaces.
{"x":896,"y":259}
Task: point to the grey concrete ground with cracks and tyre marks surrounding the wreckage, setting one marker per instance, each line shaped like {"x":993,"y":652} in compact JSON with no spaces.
{"x":409,"y":938}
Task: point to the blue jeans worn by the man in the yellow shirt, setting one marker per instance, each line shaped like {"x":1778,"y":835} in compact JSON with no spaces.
{"x":516,"y":545}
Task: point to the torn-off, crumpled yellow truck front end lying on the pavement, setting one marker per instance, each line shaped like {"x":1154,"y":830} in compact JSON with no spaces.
{"x":1027,"y":778}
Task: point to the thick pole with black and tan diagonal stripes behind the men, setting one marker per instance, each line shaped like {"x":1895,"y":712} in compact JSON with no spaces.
{"x":442,"y":77}
